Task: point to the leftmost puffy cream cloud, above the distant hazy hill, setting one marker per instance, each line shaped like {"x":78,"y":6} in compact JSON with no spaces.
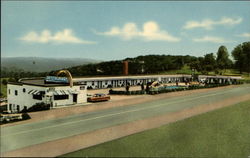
{"x":64,"y":36}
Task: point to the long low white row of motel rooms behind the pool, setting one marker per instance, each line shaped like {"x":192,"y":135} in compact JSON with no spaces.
{"x":121,"y":81}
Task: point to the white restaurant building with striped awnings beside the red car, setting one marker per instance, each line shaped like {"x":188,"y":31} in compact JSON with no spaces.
{"x":28,"y":92}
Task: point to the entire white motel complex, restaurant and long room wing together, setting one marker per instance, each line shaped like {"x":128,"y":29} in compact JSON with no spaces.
{"x":28,"y":92}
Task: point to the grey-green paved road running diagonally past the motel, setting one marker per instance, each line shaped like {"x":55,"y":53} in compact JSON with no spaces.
{"x":23,"y":135}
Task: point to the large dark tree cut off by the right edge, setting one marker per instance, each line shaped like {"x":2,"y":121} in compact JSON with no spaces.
{"x":241,"y":55}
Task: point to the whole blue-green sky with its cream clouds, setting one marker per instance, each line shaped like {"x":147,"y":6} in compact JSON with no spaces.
{"x":114,"y":30}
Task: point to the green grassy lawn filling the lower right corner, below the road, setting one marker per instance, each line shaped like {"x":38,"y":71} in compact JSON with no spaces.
{"x":220,"y":133}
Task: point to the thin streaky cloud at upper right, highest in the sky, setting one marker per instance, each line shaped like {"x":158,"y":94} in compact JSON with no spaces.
{"x":208,"y":24}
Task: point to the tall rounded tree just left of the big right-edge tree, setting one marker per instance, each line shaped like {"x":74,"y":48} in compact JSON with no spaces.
{"x":222,"y":60}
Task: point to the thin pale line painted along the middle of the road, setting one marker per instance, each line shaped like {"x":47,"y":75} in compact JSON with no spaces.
{"x":108,"y":115}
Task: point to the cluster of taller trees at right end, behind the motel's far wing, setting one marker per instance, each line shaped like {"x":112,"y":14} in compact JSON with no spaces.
{"x":240,"y":54}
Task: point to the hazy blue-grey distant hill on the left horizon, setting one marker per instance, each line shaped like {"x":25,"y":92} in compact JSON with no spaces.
{"x":40,"y":64}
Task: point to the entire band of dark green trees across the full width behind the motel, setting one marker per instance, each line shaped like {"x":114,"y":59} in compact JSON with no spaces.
{"x":152,"y":64}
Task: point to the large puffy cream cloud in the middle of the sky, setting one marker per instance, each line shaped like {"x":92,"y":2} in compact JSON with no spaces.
{"x":149,"y":32}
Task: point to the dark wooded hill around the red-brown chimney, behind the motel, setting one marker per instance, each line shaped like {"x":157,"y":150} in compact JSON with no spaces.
{"x":139,"y":65}
